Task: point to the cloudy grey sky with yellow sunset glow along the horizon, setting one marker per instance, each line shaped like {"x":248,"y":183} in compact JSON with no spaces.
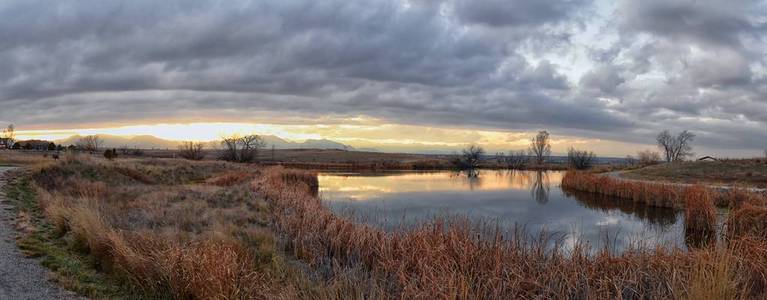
{"x":394,"y":75}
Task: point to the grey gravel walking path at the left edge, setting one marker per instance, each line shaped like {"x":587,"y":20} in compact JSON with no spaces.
{"x":21,"y":277}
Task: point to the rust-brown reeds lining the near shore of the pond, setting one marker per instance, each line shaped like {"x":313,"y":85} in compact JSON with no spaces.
{"x":450,"y":259}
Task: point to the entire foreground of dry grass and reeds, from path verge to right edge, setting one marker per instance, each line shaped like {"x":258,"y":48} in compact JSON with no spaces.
{"x":208,"y":230}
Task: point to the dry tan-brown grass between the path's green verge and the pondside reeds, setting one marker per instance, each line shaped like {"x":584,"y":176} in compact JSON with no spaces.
{"x":177,"y":240}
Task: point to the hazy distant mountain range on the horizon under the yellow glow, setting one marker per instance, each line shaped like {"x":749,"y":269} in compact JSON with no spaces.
{"x":153,"y":142}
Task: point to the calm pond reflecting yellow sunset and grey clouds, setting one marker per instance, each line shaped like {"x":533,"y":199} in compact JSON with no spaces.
{"x":532,"y":200}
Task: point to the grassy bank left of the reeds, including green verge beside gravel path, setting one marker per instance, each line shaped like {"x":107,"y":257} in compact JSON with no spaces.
{"x":158,"y":229}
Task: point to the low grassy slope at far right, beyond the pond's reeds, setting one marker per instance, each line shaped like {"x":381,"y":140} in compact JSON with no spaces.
{"x":739,"y":172}
